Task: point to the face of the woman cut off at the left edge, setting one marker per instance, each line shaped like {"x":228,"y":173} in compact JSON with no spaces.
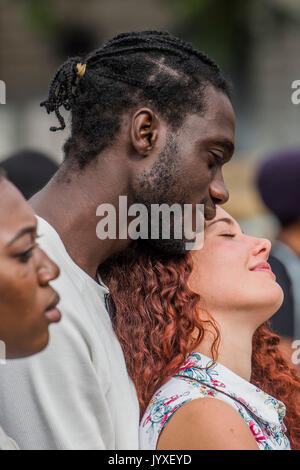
{"x":26,"y":300}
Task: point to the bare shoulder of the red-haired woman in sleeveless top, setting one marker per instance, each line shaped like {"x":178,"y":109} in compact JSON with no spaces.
{"x":207,"y":423}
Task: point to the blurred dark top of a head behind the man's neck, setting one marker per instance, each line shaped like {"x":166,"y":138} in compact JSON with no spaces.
{"x":29,"y":170}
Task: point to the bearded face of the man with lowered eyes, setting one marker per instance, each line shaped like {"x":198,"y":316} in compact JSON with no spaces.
{"x":189,"y":168}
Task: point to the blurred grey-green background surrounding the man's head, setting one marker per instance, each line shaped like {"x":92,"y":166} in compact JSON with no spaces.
{"x":256,"y":42}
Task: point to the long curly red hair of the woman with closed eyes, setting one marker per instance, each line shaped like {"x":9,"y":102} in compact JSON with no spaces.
{"x":154,"y":314}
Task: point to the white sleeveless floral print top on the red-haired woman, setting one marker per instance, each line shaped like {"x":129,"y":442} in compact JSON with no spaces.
{"x":201,"y":377}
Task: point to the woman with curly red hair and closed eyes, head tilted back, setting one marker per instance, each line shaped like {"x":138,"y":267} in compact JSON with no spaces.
{"x":208,"y":372}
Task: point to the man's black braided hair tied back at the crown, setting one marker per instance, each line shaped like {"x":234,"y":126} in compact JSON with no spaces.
{"x":147,"y":68}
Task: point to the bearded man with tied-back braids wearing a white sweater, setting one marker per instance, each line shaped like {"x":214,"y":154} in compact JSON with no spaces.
{"x":151,"y":119}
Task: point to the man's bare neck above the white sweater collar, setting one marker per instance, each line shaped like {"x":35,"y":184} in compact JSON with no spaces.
{"x":70,"y":207}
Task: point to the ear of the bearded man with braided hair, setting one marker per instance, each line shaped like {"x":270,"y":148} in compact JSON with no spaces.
{"x":144,"y":131}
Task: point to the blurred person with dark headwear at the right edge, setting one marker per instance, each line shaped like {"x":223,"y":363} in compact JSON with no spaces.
{"x":279,"y":186}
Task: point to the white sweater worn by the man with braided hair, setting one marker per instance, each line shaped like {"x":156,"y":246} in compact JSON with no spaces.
{"x":76,"y":394}
